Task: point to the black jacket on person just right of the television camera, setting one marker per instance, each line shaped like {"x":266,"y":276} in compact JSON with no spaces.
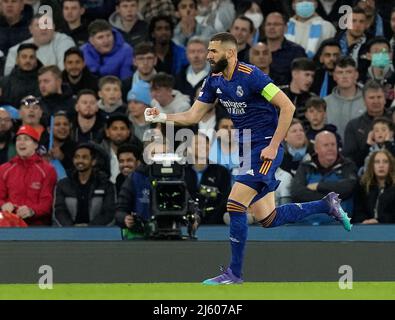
{"x":216,"y":176}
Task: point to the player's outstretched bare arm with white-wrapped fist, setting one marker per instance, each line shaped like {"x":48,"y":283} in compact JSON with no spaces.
{"x":187,"y":118}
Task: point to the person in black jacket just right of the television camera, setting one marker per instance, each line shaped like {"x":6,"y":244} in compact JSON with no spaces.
{"x":210,"y":183}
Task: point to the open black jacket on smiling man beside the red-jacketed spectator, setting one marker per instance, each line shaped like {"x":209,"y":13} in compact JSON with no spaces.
{"x":102,"y":200}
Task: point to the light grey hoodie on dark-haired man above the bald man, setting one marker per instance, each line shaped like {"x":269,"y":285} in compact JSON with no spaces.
{"x":341,"y":110}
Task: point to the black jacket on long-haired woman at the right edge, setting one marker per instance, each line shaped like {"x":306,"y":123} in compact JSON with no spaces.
{"x":366,"y":204}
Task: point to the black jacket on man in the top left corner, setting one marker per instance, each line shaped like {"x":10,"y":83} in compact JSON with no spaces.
{"x":12,"y":35}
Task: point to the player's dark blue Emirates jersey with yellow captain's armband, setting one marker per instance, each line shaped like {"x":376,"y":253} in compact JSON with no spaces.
{"x":247,"y":99}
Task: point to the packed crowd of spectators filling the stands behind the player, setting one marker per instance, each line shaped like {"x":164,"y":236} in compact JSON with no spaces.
{"x":75,"y":81}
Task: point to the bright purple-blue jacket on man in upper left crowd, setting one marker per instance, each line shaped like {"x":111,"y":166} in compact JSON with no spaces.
{"x":118,"y":62}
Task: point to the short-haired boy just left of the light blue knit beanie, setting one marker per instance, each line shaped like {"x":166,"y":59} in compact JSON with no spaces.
{"x":110,"y":93}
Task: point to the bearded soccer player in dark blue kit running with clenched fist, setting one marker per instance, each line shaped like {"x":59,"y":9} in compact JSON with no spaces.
{"x":251,"y":99}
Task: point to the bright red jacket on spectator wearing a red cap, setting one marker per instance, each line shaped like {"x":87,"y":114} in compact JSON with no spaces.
{"x":30,"y":182}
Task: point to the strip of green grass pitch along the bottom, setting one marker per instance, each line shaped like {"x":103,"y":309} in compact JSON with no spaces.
{"x":195,"y":291}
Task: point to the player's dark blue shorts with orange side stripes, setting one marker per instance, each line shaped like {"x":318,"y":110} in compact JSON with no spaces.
{"x":260,"y":176}
